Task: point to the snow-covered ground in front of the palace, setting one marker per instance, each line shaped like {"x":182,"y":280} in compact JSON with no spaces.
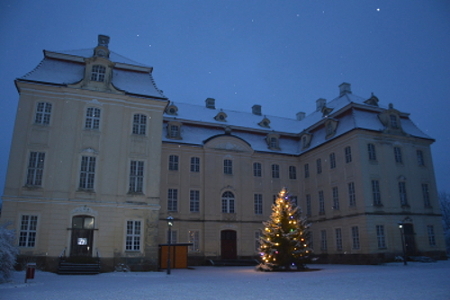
{"x":430,"y":281}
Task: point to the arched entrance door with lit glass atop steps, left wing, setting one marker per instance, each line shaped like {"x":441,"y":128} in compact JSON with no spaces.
{"x":82,"y":236}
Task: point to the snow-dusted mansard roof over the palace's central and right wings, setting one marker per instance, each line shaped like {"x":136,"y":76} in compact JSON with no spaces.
{"x":350,"y":111}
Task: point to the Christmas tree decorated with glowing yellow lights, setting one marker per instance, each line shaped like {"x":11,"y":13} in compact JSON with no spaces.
{"x":283,"y":243}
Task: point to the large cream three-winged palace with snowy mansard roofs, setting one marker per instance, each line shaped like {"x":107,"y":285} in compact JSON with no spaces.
{"x":100,"y":157}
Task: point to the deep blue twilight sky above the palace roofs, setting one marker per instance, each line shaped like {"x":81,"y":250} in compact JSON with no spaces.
{"x":281,"y":54}
